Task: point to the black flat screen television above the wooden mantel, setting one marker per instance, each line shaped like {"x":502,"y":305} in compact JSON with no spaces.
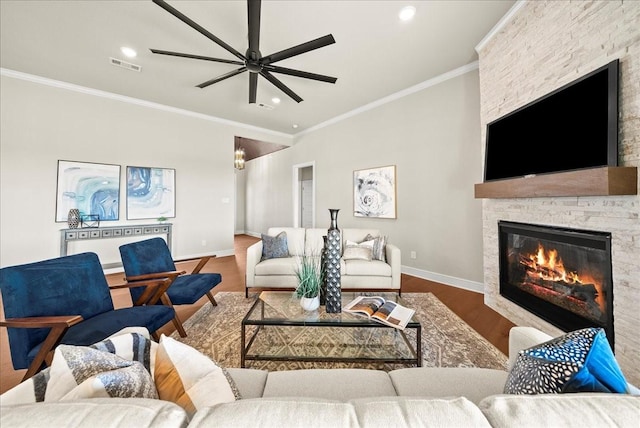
{"x":574,"y":127}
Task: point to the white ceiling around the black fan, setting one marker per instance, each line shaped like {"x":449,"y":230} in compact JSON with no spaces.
{"x":375,"y":54}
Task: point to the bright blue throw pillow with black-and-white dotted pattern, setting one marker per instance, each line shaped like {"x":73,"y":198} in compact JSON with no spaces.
{"x":579,"y":361}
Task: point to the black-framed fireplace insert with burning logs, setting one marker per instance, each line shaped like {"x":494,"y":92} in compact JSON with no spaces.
{"x":562,"y":275}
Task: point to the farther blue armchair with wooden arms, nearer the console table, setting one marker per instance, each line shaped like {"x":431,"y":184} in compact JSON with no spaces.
{"x":151,"y":259}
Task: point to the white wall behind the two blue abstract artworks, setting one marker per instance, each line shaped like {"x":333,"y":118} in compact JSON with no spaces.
{"x":41,"y":124}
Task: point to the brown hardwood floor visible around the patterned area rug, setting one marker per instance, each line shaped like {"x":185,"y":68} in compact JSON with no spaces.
{"x":467,"y":305}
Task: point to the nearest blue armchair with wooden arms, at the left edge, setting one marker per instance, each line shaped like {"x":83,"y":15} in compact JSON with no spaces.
{"x":68,"y":300}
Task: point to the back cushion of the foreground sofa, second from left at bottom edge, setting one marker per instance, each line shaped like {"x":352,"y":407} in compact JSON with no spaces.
{"x":278,"y":413}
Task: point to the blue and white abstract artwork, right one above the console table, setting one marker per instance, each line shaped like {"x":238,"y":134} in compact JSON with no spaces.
{"x":151,"y":192}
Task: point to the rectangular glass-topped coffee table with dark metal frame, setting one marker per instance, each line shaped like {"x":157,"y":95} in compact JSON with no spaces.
{"x":289,"y":314}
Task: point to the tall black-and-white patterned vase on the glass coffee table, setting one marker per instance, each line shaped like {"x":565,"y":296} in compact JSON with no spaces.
{"x":332,"y":274}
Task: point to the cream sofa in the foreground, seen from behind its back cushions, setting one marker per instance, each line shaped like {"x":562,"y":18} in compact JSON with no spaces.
{"x":409,"y":397}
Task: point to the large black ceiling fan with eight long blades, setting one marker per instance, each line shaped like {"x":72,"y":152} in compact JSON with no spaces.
{"x":252,"y":60}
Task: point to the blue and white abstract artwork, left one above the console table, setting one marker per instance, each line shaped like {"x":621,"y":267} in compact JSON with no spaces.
{"x":92,"y":188}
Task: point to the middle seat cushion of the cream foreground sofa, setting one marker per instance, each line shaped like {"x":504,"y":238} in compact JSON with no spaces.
{"x":319,"y":383}
